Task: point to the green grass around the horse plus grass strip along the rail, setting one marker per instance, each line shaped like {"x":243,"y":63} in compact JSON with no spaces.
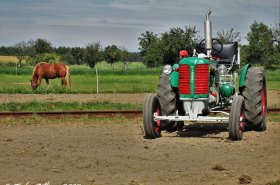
{"x":136,"y":79}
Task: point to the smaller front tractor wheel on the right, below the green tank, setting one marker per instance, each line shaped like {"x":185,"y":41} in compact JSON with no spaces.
{"x":237,"y":118}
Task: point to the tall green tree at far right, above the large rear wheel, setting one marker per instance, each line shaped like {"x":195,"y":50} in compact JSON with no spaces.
{"x":260,"y":48}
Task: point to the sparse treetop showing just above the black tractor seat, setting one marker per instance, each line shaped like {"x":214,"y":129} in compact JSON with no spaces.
{"x":228,"y":36}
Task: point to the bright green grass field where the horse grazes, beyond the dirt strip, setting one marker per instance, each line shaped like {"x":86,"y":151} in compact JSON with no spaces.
{"x":136,"y":79}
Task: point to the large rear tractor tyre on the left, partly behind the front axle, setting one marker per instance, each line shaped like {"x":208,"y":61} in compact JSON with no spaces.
{"x":167,"y":99}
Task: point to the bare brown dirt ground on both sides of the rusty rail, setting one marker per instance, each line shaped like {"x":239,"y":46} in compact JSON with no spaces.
{"x":113,"y":151}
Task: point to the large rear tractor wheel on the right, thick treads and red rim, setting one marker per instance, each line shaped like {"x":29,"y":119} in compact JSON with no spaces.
{"x":255,"y":96}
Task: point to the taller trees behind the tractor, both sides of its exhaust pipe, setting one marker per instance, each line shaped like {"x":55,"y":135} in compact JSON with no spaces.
{"x":263,"y":45}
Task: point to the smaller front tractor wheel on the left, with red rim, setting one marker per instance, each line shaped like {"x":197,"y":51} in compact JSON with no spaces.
{"x":151,"y":127}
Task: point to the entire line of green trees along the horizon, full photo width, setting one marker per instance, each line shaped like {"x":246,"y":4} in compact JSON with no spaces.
{"x":155,"y":49}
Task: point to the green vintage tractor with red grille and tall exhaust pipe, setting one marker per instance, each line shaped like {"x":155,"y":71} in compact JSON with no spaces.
{"x":206,"y":83}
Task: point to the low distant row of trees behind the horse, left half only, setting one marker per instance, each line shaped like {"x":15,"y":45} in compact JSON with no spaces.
{"x":34,"y":51}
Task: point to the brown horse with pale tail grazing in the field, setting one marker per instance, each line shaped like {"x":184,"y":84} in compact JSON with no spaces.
{"x":50,"y":71}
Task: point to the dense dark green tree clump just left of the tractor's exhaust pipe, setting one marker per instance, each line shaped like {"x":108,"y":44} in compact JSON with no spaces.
{"x":164,"y":49}
